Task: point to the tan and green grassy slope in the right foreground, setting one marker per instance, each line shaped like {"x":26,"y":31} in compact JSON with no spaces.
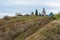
{"x":50,"y":32}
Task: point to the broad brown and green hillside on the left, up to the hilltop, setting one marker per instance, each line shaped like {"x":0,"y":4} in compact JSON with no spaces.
{"x":14,"y":27}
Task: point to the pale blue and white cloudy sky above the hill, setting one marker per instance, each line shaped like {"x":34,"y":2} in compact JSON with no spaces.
{"x":10,"y":7}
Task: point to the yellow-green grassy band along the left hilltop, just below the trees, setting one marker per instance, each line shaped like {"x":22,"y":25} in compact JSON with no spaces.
{"x":20,"y":19}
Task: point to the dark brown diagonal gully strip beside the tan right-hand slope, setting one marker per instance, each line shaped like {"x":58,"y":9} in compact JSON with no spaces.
{"x":34,"y":27}
